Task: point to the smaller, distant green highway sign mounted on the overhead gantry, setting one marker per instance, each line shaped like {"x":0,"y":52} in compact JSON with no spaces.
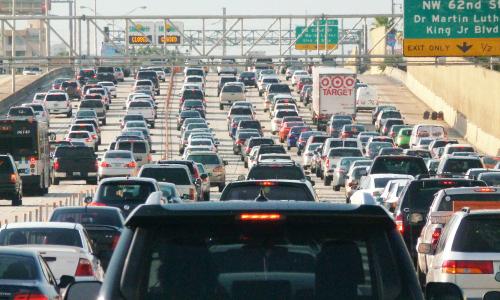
{"x":309,"y":40}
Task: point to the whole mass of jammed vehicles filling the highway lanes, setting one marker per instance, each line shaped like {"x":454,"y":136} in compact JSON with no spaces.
{"x":268,"y":180}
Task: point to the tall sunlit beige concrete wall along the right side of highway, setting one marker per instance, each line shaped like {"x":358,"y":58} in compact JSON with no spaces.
{"x":469,"y":97}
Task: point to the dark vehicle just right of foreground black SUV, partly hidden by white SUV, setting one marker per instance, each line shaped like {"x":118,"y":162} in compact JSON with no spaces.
{"x":416,"y":200}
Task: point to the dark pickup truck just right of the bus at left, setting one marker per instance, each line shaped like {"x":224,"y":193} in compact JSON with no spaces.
{"x":74,"y":163}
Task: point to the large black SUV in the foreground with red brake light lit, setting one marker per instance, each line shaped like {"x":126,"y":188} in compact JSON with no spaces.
{"x":257,"y":250}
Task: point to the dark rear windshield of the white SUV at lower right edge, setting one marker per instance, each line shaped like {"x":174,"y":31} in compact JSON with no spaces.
{"x":478,"y":234}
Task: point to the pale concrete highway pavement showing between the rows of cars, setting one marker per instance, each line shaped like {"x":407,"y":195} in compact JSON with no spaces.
{"x":389,"y":90}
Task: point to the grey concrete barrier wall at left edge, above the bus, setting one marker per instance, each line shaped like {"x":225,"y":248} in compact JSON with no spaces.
{"x":41,"y":84}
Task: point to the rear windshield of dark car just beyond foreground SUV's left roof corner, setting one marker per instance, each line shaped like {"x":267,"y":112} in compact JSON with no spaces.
{"x":119,"y":192}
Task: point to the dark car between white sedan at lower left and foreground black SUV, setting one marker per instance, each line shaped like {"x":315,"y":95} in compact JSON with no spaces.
{"x":102,"y":224}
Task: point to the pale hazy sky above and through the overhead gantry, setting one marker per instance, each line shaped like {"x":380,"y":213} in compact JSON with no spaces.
{"x":214,"y":7}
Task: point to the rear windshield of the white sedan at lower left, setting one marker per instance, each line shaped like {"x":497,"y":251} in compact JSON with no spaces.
{"x":40,"y":236}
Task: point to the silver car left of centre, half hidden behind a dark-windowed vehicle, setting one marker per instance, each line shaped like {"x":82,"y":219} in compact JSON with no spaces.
{"x":214,"y":165}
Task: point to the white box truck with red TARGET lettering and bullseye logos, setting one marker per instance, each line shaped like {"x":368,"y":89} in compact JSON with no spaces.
{"x":334,"y":92}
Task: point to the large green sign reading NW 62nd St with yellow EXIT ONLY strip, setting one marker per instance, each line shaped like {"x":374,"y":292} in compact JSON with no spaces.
{"x":452,"y":28}
